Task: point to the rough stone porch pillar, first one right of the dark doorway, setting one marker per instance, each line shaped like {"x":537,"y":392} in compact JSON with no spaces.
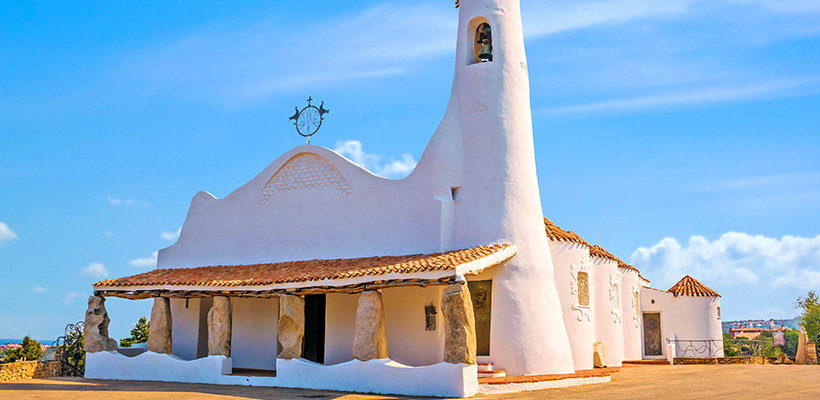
{"x":370,"y":337}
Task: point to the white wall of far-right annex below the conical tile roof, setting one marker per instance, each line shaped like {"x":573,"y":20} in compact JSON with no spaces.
{"x":685,"y":318}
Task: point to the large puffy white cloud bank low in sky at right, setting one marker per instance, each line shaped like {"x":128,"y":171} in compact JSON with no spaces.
{"x":735,"y":258}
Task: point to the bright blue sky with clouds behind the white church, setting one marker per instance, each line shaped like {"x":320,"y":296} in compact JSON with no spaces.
{"x":681,"y":135}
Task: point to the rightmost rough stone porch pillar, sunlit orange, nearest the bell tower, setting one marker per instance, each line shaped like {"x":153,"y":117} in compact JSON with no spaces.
{"x":459,"y":325}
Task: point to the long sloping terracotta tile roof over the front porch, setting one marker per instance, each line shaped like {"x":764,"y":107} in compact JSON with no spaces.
{"x":303,"y":271}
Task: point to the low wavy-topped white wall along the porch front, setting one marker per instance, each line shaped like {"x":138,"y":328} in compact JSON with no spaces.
{"x":374,"y":376}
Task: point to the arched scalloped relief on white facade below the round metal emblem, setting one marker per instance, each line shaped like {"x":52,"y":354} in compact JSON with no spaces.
{"x":303,"y":172}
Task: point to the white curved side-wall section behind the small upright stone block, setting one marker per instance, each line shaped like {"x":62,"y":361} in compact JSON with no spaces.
{"x":608,"y":314}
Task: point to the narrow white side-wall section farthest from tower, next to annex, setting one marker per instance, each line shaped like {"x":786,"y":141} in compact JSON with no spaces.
{"x":631,"y":312}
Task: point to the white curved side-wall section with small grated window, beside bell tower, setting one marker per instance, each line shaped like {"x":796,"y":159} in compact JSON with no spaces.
{"x":568,"y":260}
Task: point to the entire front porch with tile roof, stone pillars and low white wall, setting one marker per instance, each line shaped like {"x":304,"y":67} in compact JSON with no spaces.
{"x":397,"y":324}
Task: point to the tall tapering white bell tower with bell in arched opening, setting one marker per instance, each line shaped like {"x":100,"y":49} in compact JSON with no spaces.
{"x":499,"y":198}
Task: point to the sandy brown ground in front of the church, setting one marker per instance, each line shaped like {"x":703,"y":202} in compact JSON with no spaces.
{"x":643,"y":382}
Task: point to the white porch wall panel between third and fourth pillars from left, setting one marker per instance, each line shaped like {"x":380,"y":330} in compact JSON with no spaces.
{"x":253,"y":332}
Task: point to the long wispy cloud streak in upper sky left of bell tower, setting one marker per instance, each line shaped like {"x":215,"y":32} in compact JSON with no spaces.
{"x":247,"y":63}
